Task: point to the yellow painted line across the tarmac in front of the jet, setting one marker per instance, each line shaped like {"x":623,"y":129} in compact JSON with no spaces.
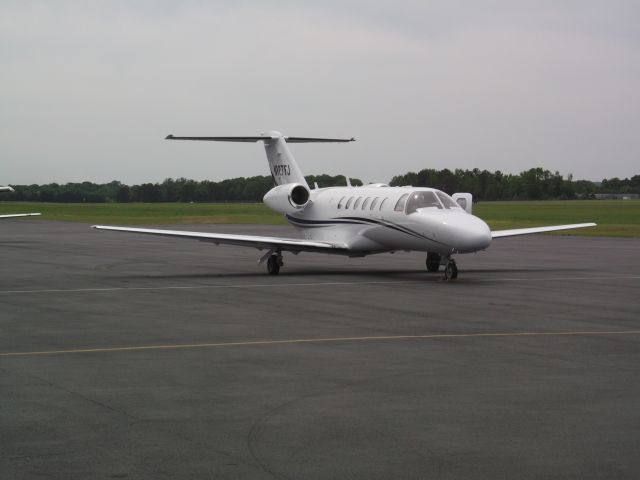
{"x":315,"y":340}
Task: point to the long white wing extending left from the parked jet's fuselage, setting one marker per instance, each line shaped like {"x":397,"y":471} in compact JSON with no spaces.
{"x":261,"y":243}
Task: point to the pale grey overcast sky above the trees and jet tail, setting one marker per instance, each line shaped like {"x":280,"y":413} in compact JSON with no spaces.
{"x":89,"y":90}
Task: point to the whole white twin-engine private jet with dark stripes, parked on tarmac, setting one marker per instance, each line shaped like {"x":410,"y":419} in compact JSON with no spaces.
{"x":356,"y":221}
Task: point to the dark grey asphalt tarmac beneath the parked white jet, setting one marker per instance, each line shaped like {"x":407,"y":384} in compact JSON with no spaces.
{"x":127,"y":356}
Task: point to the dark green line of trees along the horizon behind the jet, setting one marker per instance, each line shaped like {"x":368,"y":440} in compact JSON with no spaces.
{"x":532,"y":184}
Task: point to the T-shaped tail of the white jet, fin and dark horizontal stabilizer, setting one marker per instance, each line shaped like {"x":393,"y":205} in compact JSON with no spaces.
{"x":283,"y":166}
